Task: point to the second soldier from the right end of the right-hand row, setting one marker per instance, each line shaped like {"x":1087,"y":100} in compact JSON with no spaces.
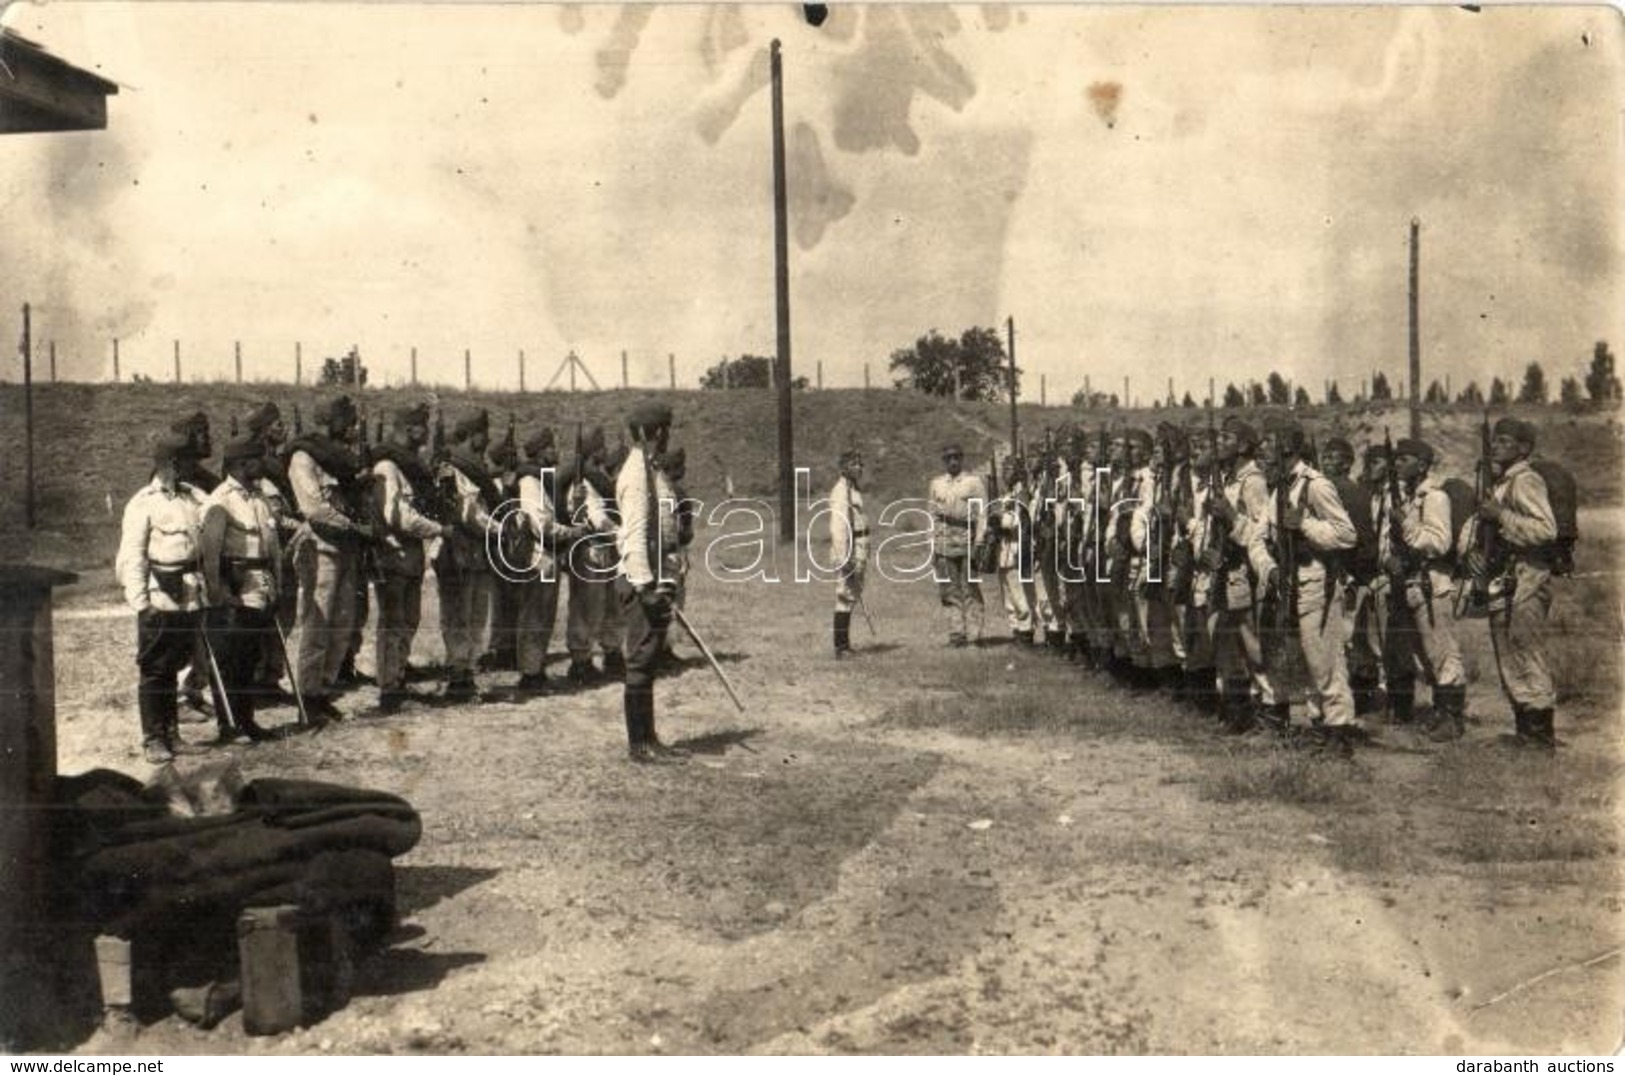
{"x":1416,"y":550}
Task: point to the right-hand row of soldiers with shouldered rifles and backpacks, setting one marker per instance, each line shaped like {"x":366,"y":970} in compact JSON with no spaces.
{"x":1221,"y":564}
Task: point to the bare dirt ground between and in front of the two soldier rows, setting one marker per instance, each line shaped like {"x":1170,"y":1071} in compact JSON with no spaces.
{"x":857,"y":865}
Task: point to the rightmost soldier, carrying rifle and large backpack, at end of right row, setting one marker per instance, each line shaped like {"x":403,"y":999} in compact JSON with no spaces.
{"x":1520,"y":579}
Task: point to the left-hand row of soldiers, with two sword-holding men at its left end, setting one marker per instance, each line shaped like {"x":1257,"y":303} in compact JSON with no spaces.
{"x":274,"y":569}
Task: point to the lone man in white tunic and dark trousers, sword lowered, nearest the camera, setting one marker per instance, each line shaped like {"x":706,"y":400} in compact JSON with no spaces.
{"x":648,"y":540}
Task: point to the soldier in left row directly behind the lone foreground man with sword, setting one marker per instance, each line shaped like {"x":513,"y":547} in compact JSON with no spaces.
{"x":592,"y":569}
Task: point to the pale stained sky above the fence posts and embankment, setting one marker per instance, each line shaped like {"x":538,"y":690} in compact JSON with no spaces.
{"x":1148,"y":192}
